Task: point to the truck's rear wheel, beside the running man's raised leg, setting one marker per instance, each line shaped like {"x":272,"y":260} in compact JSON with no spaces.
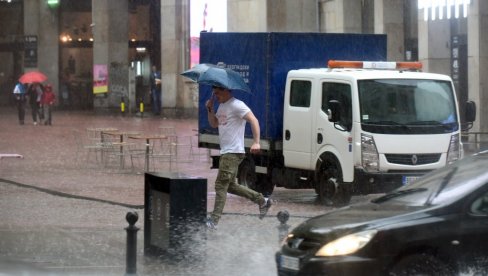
{"x":247,"y":176}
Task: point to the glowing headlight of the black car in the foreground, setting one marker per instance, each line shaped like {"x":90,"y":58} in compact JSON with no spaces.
{"x":347,"y":244}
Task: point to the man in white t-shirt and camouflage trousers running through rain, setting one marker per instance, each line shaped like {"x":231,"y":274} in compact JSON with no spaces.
{"x":230,"y":119}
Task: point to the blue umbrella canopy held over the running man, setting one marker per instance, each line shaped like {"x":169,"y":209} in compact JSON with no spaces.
{"x":213,"y":75}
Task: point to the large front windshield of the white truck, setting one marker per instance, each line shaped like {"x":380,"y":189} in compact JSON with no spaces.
{"x":407,"y":106}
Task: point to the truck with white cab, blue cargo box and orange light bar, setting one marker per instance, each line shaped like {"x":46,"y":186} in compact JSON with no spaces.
{"x":358,"y":153}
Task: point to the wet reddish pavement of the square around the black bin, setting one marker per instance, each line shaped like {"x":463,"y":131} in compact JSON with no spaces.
{"x":60,"y":216}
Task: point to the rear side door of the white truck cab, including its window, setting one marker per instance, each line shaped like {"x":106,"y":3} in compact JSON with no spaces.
{"x":298,"y":122}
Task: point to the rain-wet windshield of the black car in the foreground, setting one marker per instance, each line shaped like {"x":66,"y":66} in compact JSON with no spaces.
{"x":442,"y":186}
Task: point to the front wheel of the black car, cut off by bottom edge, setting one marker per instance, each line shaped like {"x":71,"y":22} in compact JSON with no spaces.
{"x":421,"y":264}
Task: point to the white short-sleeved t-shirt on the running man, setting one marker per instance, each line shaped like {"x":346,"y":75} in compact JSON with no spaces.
{"x":232,"y":125}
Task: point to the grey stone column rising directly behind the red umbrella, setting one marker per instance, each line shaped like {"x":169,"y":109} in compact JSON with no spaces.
{"x":41,"y":21}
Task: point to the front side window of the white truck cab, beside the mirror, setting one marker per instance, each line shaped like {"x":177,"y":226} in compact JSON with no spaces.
{"x":342,"y":93}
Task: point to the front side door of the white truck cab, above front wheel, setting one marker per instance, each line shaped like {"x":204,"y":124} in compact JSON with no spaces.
{"x":336,"y":138}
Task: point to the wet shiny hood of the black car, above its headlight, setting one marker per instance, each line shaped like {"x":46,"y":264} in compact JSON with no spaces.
{"x":359,"y":217}
